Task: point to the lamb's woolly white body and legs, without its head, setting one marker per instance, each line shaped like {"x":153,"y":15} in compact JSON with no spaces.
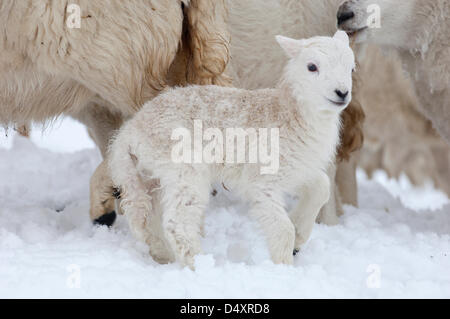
{"x":141,"y":156}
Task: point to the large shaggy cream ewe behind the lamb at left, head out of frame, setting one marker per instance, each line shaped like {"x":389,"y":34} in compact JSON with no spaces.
{"x":122,"y":56}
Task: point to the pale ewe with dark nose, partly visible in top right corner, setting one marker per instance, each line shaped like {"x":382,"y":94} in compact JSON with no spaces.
{"x":419,"y":30}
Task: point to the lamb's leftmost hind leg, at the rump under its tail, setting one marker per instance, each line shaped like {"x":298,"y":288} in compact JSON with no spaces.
{"x":132,"y":169}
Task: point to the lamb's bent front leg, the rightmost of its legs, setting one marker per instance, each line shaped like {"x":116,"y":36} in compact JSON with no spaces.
{"x":312,"y":198}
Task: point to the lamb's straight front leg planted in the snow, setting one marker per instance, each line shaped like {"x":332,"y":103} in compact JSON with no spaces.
{"x":268,"y":209}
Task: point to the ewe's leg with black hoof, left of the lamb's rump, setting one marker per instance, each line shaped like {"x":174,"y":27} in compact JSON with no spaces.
{"x":101,"y":124}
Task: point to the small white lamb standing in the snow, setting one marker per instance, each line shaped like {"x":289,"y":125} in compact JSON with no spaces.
{"x":304,"y":109}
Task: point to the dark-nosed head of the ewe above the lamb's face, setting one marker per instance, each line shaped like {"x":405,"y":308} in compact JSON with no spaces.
{"x":384,"y":22}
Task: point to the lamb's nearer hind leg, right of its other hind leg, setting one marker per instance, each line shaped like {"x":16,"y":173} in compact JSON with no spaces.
{"x":184,"y":198}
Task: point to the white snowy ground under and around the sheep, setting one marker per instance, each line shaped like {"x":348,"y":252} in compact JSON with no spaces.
{"x":48,"y":247}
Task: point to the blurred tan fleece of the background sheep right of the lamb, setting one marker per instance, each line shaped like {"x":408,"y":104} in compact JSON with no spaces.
{"x":398,"y":138}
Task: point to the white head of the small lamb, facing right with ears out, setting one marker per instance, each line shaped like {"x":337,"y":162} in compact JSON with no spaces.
{"x":319,"y":71}
